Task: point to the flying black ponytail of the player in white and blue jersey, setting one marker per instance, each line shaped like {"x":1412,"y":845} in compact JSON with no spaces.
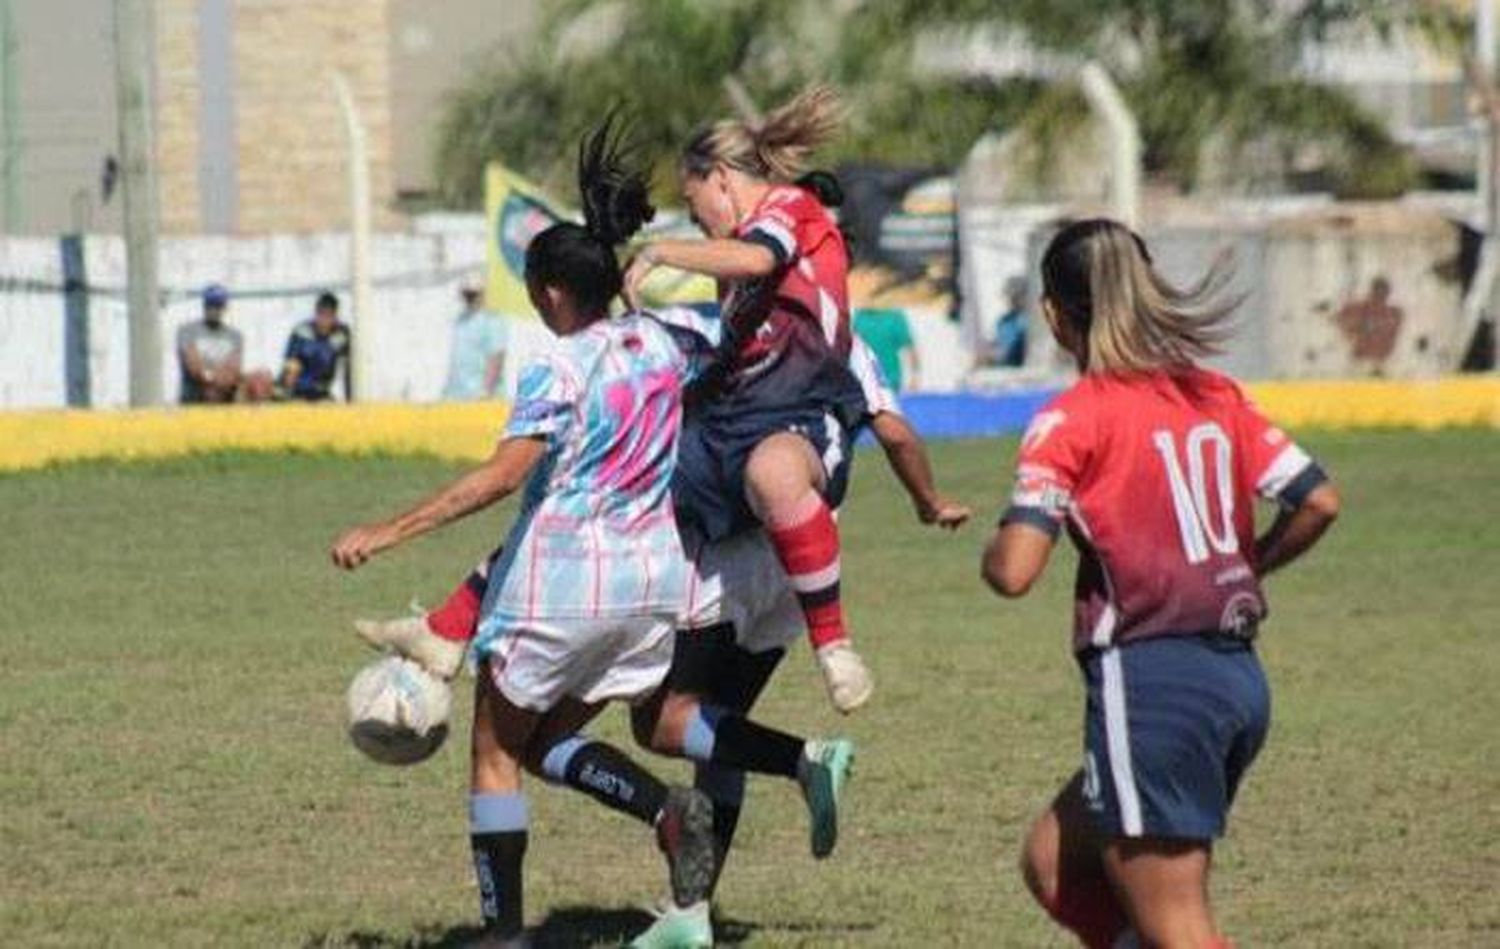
{"x":614,"y":184}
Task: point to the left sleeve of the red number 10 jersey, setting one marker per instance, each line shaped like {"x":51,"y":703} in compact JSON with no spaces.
{"x":1052,"y":461}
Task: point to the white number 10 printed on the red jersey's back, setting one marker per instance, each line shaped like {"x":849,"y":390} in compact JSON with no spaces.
{"x":1190,"y":494}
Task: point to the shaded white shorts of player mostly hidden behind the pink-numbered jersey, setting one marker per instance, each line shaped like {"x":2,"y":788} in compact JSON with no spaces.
{"x":739,"y":581}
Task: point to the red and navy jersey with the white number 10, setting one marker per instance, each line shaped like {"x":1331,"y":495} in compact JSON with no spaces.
{"x":1156,"y":477}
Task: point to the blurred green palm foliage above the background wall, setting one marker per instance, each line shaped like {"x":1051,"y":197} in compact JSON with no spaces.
{"x":1195,"y":73}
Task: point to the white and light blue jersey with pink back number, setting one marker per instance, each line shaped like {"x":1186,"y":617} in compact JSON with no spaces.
{"x":596,"y":536}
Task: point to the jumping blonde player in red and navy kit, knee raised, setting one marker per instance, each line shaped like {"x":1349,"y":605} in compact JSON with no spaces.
{"x":770,"y":443}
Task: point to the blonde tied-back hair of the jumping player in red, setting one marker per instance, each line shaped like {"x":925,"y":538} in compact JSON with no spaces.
{"x":778,"y":148}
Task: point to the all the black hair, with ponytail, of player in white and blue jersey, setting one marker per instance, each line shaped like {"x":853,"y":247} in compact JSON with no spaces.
{"x":614,"y":187}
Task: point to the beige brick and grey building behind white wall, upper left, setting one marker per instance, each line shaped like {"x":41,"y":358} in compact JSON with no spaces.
{"x":250,"y":136}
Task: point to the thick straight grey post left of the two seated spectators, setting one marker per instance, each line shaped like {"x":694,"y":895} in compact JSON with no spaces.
{"x":134,"y":41}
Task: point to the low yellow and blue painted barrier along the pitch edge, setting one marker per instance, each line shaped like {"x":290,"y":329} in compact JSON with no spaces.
{"x":469,"y":431}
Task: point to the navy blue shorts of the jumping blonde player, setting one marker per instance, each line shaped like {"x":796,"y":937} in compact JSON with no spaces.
{"x":709,"y":488}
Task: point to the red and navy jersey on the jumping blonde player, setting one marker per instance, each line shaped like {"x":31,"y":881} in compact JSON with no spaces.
{"x":788,"y":335}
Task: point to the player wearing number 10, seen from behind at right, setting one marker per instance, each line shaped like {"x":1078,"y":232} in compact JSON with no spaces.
{"x":1153,"y":464}
